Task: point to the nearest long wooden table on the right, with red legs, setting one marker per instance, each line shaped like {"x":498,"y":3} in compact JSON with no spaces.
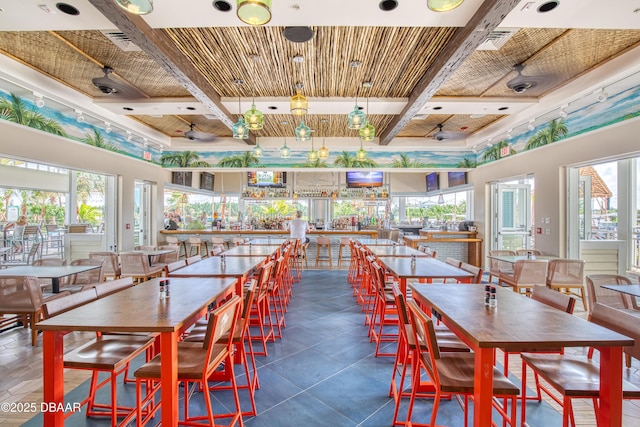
{"x":521,"y":323}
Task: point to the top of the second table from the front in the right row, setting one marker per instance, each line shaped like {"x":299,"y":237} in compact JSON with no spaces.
{"x":426,"y":267}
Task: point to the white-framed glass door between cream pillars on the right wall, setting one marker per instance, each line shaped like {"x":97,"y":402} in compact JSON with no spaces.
{"x":511,"y":215}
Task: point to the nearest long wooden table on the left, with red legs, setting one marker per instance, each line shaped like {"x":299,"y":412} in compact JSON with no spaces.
{"x":137,"y":309}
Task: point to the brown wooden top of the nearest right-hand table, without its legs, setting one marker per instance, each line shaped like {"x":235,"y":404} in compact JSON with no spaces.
{"x":516,"y":323}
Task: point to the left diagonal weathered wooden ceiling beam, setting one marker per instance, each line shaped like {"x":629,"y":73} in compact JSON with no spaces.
{"x":159,"y":46}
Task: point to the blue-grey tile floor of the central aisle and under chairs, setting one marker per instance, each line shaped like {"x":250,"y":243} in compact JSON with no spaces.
{"x":323,"y":372}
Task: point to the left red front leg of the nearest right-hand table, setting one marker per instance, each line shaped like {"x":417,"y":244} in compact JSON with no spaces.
{"x":483,"y":386}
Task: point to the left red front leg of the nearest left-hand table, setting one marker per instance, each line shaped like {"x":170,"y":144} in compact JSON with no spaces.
{"x":53,"y":376}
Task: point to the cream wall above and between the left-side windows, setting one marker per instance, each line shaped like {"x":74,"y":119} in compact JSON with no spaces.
{"x":21,"y":142}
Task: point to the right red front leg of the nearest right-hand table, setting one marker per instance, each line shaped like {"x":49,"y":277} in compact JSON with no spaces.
{"x":610,"y":412}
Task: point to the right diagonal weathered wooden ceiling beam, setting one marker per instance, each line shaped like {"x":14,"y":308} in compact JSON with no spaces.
{"x":463,"y":43}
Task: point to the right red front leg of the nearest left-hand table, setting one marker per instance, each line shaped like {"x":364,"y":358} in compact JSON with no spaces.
{"x":169,"y":378}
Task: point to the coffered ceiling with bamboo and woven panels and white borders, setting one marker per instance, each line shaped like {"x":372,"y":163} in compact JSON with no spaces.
{"x":424,"y":68}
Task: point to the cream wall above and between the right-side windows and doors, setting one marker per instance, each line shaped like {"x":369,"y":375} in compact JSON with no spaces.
{"x":547,"y":165}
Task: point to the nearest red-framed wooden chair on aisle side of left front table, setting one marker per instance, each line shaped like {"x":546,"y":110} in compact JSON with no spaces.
{"x":196,"y":363}
